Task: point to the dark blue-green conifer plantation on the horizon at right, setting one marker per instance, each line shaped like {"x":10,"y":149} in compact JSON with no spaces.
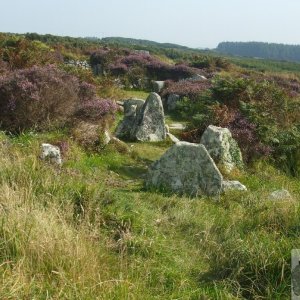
{"x":261,"y":50}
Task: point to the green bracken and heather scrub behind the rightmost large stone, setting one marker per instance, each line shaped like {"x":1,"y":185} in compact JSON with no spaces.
{"x":261,"y":115}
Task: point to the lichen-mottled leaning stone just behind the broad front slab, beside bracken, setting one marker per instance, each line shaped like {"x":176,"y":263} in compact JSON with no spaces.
{"x":222,"y":147}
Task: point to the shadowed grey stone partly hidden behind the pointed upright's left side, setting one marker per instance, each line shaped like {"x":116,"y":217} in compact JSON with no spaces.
{"x":131,"y":109}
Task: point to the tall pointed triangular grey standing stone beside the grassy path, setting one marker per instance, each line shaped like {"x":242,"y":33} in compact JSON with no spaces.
{"x":149,"y":123}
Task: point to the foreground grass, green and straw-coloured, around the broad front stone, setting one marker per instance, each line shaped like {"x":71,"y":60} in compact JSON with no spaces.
{"x":89,"y":230}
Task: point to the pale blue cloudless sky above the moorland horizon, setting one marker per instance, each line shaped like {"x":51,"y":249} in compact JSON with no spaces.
{"x":193,"y":23}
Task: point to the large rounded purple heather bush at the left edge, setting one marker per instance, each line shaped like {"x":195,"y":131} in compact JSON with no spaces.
{"x":40,"y":97}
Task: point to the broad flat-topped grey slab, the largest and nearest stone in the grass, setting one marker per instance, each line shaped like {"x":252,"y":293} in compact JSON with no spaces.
{"x":185,"y":168}
